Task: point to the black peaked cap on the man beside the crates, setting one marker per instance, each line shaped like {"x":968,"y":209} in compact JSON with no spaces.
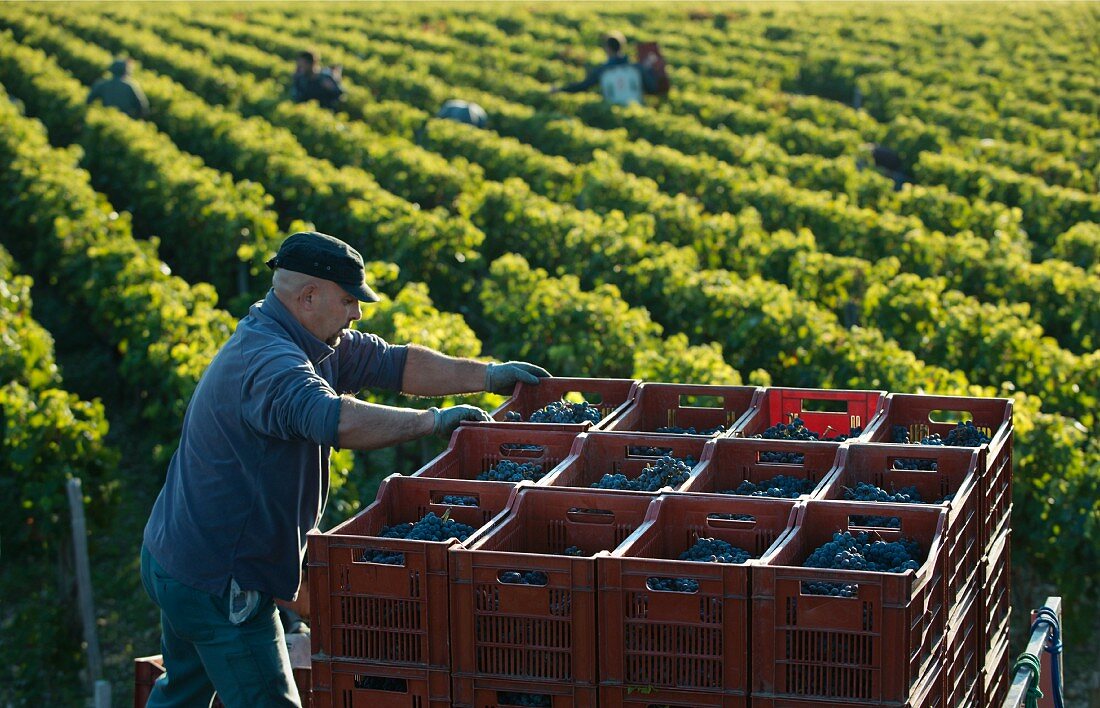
{"x":325,"y":257}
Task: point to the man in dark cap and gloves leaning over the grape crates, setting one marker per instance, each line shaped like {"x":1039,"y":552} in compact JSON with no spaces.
{"x":227,"y":535}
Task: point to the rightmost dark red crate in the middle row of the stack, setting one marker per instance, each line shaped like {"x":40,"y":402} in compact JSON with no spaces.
{"x":956,"y":474}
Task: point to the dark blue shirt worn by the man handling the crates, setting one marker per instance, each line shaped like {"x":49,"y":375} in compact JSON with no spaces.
{"x":251,"y":475}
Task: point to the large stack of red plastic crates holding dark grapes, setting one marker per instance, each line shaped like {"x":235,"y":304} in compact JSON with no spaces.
{"x":570,"y":595}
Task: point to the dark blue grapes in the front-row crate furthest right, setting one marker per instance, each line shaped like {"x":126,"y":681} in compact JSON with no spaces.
{"x":857,"y":552}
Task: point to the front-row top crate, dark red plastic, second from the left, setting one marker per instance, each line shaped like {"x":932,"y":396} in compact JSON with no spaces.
{"x":537,"y":633}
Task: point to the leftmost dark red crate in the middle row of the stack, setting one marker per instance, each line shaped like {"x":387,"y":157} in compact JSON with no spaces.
{"x":475,"y":449}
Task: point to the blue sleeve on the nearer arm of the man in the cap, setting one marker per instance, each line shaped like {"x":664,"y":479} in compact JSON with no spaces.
{"x":285,"y":399}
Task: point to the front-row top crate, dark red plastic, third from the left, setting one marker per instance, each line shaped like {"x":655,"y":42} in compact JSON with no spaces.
{"x":674,"y":640}
